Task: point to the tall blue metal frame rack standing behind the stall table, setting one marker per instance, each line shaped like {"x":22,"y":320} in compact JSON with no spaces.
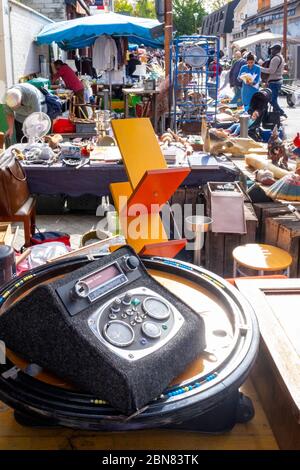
{"x":194,"y":86}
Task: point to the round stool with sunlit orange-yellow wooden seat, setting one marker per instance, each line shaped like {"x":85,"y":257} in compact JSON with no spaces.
{"x":261,"y":258}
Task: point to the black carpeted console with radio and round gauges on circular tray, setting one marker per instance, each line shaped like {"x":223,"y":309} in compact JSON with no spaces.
{"x":109,"y":328}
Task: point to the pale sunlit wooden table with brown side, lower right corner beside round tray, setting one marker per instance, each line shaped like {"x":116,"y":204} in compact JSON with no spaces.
{"x":276,"y":373}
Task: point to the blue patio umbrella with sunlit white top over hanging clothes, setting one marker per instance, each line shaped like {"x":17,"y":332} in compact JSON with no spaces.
{"x":83,"y":32}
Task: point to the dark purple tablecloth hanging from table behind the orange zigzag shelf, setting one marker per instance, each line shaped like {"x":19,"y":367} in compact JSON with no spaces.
{"x":96,"y":179}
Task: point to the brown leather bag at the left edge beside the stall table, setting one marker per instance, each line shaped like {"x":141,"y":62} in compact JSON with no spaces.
{"x":14,"y":190}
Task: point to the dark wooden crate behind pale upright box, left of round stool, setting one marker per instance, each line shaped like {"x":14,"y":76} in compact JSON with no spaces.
{"x":219,"y":246}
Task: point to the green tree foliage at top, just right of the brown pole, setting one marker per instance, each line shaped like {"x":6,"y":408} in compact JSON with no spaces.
{"x":183,"y":16}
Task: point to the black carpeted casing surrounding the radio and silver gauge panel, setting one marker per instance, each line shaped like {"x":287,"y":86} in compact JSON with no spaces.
{"x":45,"y":330}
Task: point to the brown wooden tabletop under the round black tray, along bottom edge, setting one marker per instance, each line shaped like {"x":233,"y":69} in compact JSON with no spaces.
{"x":254,"y":435}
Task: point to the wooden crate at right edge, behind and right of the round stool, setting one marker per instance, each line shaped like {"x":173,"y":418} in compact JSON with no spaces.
{"x":284,"y":232}
